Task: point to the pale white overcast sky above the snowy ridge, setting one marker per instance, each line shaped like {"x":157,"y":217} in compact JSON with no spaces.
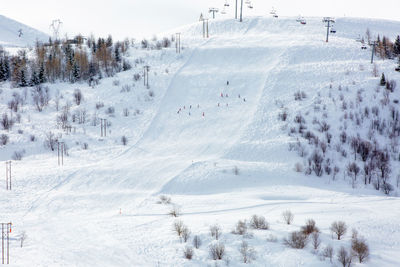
{"x":138,"y":18}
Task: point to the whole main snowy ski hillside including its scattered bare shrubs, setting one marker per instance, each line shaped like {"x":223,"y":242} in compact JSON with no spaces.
{"x":225,"y":130}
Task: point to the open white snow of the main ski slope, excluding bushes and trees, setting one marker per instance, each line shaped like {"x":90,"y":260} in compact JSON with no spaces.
{"x":219,"y":151}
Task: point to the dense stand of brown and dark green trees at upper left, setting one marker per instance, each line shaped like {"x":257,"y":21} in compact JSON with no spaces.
{"x":64,"y":60}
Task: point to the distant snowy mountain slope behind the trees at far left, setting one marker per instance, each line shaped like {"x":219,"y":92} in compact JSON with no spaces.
{"x":15,"y":34}
